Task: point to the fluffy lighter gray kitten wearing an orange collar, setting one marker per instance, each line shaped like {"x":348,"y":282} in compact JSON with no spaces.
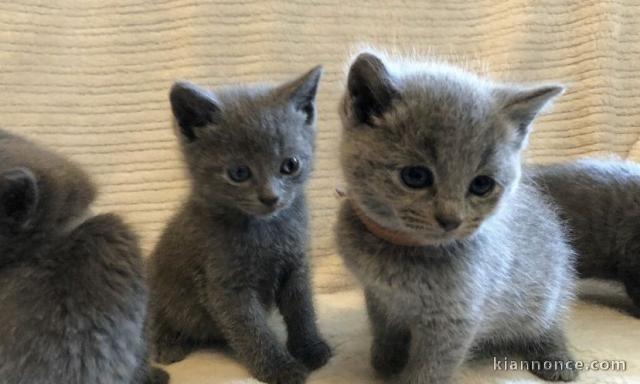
{"x":456,"y":253}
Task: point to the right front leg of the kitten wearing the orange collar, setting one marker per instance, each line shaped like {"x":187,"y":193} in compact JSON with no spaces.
{"x":438,"y":348}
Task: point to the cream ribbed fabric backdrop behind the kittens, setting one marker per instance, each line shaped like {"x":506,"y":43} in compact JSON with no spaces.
{"x":90,"y":79}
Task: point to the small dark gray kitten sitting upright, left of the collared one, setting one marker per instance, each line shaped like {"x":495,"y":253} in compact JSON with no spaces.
{"x":237,"y":247}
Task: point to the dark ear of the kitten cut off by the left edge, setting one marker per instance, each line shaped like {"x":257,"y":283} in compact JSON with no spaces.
{"x":18,"y":197}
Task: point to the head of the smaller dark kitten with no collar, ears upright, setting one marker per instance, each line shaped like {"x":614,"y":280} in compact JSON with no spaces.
{"x":248,"y":148}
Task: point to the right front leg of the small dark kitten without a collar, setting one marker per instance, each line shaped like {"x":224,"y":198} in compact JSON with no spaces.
{"x":296,"y":306}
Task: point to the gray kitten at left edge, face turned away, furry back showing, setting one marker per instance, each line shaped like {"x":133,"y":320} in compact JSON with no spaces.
{"x":72,"y":294}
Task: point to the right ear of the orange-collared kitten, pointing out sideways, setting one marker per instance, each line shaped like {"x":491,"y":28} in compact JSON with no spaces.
{"x":522,"y":105}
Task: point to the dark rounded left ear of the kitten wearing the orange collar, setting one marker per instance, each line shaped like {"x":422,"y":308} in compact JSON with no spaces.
{"x":370,"y":88}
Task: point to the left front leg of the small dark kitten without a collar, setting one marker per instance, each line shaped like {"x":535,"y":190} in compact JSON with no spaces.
{"x":243,"y":322}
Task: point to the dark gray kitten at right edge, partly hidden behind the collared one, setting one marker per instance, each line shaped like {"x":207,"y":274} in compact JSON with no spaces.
{"x":600,"y":201}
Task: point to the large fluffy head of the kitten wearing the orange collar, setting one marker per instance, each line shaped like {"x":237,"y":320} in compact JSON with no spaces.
{"x":429,"y":149}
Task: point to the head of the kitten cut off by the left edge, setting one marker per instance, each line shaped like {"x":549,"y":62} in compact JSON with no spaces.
{"x":40,"y":192}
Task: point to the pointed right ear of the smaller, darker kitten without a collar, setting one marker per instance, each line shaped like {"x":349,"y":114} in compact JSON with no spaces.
{"x":301,"y":92}
